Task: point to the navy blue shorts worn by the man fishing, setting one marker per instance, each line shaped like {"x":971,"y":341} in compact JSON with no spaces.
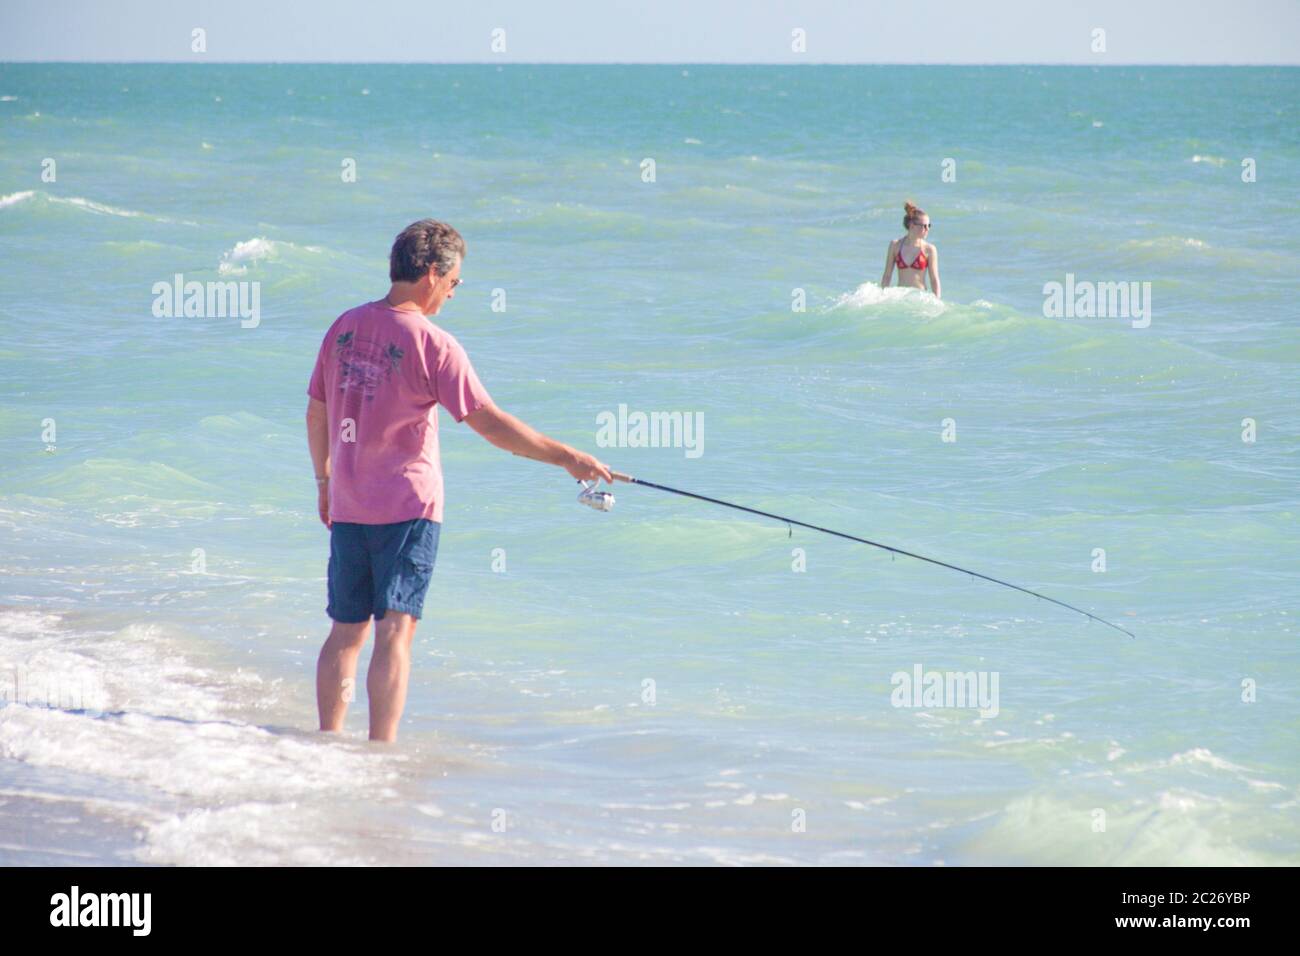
{"x":380,"y":568}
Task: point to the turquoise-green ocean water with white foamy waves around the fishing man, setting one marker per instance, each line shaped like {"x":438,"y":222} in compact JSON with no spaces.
{"x":660,"y":684}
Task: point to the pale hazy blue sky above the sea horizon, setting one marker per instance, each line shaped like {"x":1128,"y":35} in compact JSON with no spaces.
{"x":695,"y":32}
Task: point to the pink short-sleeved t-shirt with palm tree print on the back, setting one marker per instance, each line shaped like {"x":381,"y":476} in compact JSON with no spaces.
{"x":382,"y":373}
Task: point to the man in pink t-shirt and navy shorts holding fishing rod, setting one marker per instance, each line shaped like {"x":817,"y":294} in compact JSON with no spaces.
{"x":372,"y":429}
